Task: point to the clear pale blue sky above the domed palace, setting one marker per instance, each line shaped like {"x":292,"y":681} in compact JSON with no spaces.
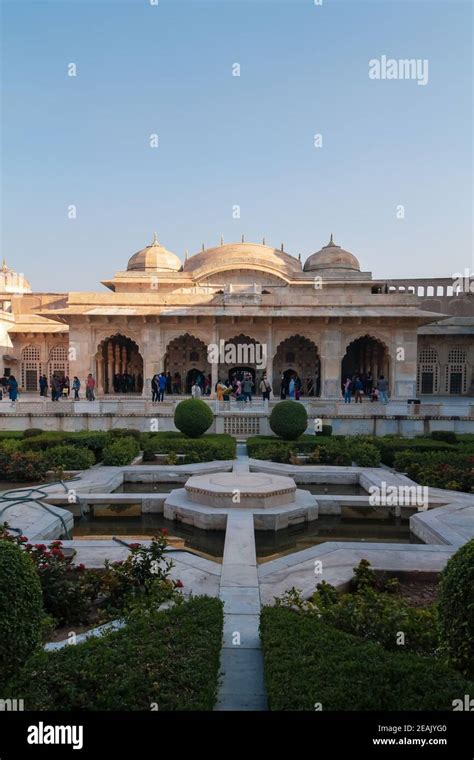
{"x":225,"y":140}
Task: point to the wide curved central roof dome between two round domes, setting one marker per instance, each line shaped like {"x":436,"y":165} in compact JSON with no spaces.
{"x":242,"y":255}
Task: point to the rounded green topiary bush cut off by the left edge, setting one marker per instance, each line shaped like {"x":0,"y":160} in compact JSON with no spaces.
{"x":21,"y":609}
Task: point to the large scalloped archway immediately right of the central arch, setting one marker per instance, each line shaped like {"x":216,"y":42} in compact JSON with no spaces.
{"x":298,"y":356}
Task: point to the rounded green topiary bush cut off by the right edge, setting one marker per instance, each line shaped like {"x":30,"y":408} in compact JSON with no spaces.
{"x":456,"y":609}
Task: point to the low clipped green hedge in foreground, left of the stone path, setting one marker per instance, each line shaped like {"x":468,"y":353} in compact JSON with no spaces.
{"x":169,"y":658}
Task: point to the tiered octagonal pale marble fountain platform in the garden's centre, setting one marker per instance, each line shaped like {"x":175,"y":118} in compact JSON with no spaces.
{"x":206,"y":500}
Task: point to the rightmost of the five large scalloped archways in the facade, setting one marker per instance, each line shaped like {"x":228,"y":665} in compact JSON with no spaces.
{"x":363,"y":356}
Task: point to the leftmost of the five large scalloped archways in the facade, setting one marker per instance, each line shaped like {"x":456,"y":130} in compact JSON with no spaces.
{"x":119,"y":365}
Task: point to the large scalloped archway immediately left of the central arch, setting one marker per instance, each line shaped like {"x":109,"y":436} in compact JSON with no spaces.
{"x":186,"y":359}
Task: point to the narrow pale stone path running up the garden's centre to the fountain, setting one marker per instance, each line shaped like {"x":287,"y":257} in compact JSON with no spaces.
{"x":242,"y":685}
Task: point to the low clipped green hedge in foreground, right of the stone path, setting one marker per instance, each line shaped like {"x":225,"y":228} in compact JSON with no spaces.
{"x":308,"y":662}
